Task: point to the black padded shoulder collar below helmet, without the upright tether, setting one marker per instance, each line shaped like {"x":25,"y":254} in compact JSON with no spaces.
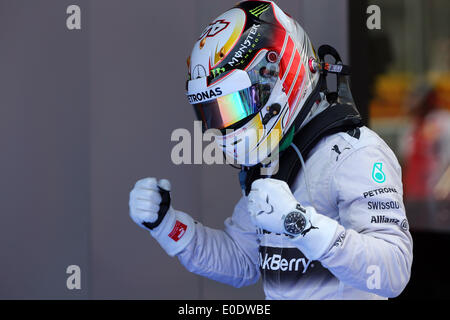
{"x":336,"y":118}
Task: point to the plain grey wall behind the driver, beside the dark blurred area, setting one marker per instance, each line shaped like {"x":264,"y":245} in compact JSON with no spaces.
{"x":83,"y":115}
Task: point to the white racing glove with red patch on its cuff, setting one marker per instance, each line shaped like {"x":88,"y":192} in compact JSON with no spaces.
{"x":150,"y":208}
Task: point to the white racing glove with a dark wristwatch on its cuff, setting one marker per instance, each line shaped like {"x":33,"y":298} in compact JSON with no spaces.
{"x":274,"y":208}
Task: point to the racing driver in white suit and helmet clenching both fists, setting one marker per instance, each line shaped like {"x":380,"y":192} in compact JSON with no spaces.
{"x":325,"y":218}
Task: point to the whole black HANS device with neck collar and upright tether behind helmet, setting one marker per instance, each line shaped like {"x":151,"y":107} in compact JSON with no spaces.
{"x":341,"y":116}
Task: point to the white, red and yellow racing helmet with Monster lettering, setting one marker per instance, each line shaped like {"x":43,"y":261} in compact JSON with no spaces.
{"x":250,"y":73}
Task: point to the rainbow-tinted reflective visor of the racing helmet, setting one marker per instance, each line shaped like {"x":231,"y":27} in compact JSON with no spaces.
{"x":227,"y":110}
